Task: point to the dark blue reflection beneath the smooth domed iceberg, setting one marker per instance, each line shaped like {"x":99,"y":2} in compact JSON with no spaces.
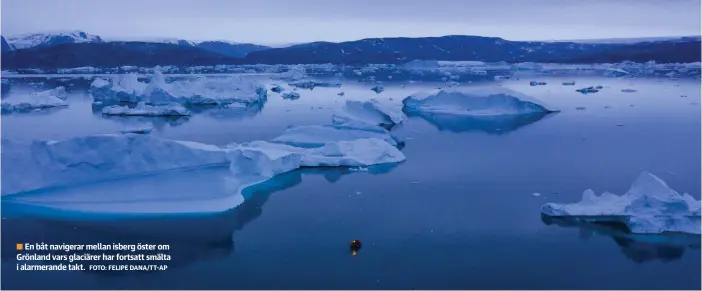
{"x":489,"y":124}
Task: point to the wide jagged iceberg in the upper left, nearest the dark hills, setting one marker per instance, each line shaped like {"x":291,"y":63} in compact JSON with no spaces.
{"x":209,"y":91}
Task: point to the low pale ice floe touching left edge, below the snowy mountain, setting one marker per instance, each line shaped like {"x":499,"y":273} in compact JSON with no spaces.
{"x":40,"y":100}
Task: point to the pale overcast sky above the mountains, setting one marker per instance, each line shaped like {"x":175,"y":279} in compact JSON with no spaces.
{"x":294,"y":21}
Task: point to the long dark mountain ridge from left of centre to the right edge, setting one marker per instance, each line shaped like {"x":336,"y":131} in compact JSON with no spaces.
{"x":475,"y":48}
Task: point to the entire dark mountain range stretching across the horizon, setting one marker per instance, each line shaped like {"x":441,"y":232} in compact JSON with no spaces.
{"x":366,"y":51}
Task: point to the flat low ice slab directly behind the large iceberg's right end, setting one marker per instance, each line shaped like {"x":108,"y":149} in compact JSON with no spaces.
{"x":319,"y":135}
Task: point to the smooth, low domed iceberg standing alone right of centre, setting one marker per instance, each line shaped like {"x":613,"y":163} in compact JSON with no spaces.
{"x":490,"y":101}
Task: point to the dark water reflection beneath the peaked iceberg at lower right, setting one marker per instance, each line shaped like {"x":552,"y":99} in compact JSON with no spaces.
{"x":640,"y":248}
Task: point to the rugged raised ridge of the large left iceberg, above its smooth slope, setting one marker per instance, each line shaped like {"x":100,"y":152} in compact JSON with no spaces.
{"x":42,"y":164}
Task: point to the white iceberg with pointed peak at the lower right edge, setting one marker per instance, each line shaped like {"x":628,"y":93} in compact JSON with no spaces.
{"x":650,"y":206}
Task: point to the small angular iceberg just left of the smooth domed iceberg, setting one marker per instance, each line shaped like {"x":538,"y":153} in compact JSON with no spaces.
{"x":370,"y":112}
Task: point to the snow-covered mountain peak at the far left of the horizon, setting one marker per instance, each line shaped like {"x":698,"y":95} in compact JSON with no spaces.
{"x":51,"y":38}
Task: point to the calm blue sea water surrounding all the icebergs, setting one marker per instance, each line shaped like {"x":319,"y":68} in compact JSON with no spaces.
{"x":458,"y":214}
